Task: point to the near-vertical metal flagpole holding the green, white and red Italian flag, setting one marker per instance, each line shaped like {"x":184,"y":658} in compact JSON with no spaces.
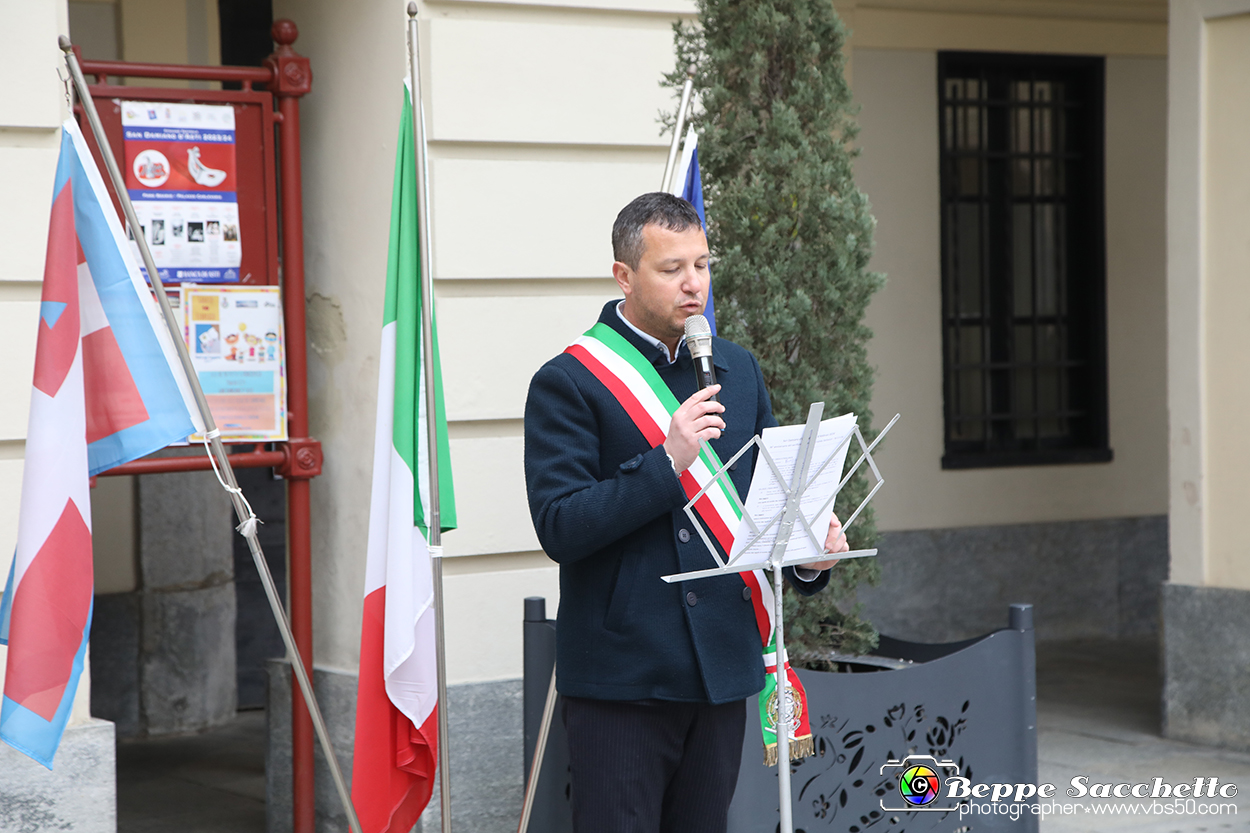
{"x":434,"y":522}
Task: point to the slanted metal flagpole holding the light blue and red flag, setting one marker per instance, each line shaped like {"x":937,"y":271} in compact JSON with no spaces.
{"x":217,"y":453}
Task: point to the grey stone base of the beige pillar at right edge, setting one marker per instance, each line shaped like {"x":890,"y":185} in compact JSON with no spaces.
{"x":1207,"y":666}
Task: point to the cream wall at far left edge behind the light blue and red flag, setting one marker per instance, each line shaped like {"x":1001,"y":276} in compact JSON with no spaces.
{"x":31,"y":117}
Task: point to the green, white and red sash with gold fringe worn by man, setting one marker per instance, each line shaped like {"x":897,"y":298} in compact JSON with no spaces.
{"x":649,"y":403}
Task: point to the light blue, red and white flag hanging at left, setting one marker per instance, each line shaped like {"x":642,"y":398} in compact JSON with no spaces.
{"x":108,"y":390}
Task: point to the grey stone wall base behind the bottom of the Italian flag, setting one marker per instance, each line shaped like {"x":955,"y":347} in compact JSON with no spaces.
{"x":487,"y":749}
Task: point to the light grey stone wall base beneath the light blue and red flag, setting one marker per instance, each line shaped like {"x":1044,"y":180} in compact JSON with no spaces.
{"x":79,"y":794}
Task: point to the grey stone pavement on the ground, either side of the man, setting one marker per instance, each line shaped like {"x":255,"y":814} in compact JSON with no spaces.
{"x":1098,"y":716}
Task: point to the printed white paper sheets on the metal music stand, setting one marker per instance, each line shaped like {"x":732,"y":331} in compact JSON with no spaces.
{"x":767,"y":498}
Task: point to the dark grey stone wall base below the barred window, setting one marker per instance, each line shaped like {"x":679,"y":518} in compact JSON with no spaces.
{"x":1084,"y":578}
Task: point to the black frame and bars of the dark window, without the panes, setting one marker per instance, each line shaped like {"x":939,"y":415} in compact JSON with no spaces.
{"x":1081,"y":313}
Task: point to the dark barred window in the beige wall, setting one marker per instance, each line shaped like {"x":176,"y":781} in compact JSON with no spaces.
{"x":1024,"y":347}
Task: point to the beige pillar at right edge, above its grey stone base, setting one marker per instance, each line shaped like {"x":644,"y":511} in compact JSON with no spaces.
{"x":1208,"y":263}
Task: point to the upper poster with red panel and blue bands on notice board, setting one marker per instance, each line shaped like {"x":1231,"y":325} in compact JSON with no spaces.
{"x":181,"y":174}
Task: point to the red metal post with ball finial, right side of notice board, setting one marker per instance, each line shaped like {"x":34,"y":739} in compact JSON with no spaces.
{"x":293,"y":78}
